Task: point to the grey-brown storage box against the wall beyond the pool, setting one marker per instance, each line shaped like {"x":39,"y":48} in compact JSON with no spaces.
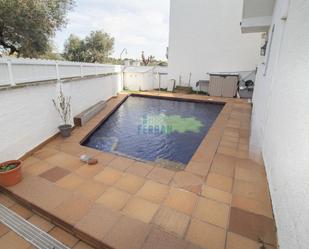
{"x":223,"y":84}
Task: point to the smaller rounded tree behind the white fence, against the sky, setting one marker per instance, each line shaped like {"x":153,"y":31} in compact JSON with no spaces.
{"x":97,"y":47}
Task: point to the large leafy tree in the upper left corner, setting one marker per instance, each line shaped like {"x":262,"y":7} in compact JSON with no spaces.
{"x":26,"y":26}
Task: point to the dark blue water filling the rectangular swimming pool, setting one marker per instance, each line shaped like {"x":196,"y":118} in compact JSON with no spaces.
{"x":154,"y":129}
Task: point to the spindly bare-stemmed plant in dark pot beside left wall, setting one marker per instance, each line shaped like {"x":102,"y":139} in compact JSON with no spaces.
{"x":63,"y":107}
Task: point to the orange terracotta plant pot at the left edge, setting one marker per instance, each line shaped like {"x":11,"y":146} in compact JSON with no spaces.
{"x":10,"y":177}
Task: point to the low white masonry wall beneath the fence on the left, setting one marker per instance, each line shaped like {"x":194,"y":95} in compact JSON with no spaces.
{"x":28,"y":117}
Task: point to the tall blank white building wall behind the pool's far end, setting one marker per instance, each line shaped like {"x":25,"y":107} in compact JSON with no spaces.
{"x":205,"y":36}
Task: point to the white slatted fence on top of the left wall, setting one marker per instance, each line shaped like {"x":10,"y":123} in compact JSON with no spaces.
{"x":15,"y":71}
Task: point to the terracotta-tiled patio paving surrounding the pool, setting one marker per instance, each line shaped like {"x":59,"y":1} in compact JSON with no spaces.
{"x":220,"y":201}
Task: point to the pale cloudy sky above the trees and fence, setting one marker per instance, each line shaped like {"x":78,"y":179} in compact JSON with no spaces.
{"x":137,"y":25}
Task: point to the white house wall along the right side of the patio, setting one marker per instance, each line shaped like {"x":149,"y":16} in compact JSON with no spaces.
{"x":280,"y":125}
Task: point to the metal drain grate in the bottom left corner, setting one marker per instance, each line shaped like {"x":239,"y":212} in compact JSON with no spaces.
{"x":29,"y":232}
